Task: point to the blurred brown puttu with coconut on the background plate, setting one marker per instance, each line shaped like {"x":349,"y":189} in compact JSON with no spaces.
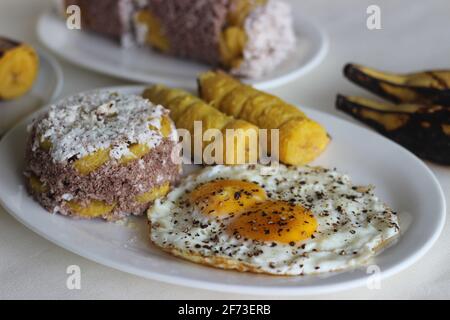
{"x":246,"y":37}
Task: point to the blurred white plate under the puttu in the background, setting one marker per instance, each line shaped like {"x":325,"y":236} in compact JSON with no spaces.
{"x":144,"y":65}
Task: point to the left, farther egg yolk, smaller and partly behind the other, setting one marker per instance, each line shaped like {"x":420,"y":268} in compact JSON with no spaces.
{"x":227,"y":197}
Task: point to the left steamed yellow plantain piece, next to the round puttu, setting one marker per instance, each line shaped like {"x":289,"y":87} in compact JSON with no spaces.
{"x":186,"y":108}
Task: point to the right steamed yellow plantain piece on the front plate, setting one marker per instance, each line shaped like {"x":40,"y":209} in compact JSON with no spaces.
{"x":301,"y":139}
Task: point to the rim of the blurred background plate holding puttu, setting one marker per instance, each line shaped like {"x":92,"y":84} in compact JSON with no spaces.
{"x":320,"y":35}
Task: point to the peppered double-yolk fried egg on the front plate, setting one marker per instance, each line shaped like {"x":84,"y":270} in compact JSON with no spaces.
{"x":297,"y":221}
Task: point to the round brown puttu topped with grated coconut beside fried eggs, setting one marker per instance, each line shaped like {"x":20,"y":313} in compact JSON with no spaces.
{"x":101,"y":154}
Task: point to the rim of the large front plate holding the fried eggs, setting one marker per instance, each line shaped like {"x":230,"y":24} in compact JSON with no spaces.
{"x":247,"y":289}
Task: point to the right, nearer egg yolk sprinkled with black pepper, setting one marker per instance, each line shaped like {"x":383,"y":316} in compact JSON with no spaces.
{"x":277,"y":221}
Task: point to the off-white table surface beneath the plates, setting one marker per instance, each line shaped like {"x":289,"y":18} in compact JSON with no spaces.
{"x":414,"y":36}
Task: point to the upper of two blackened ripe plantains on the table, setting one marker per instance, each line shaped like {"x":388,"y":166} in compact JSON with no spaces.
{"x":427,"y":87}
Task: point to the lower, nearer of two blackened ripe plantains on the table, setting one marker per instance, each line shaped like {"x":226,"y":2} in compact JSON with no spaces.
{"x":422,"y":129}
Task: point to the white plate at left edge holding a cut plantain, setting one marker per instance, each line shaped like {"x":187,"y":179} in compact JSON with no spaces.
{"x":46,"y":87}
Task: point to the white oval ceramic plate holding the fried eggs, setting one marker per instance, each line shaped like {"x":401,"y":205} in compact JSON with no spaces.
{"x":401,"y":179}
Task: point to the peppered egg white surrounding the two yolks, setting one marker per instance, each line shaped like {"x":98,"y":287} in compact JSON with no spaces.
{"x":353,"y":224}
